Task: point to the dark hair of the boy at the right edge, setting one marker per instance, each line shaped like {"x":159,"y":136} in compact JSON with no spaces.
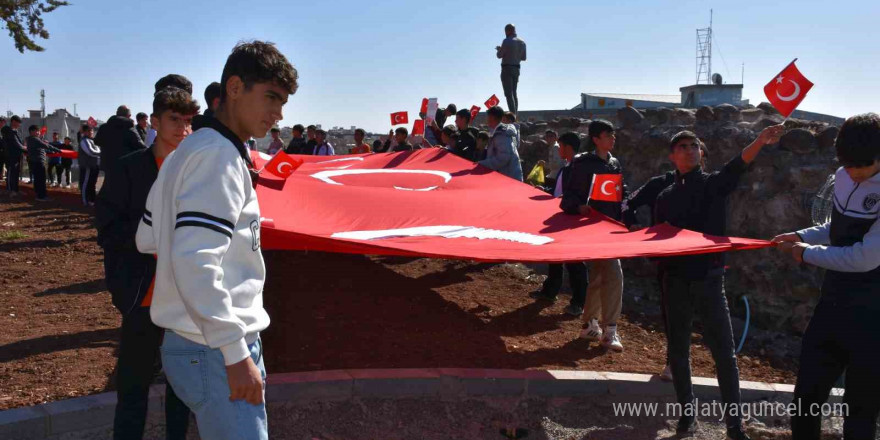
{"x":858,"y":143}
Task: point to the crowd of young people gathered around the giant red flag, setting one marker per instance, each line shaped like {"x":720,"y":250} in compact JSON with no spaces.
{"x":181,"y":237}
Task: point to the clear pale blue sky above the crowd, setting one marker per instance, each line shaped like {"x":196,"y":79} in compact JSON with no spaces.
{"x":359,"y":61}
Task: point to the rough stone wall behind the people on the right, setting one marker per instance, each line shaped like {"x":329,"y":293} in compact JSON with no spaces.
{"x":774,"y":197}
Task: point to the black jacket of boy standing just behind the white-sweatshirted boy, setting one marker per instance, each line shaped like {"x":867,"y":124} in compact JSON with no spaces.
{"x":119,"y":208}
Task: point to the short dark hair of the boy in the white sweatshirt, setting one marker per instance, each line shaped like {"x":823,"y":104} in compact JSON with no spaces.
{"x":258,"y":62}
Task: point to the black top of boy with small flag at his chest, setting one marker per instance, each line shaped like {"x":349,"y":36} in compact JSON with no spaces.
{"x":578,"y":179}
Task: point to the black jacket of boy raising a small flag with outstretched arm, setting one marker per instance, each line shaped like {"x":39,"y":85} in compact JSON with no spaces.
{"x":698,"y":201}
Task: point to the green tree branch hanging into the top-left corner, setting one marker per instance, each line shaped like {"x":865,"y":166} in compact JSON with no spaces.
{"x":23,"y":19}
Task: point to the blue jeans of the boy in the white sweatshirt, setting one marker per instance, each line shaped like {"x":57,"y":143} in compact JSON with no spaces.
{"x":198,"y":375}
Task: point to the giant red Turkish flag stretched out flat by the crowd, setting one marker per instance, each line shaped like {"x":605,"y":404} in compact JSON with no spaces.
{"x":431,"y":203}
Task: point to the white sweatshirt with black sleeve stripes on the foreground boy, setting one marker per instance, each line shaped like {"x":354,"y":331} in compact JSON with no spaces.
{"x":202,"y":221}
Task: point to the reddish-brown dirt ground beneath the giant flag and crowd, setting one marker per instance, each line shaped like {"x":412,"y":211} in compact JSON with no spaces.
{"x":60,"y":331}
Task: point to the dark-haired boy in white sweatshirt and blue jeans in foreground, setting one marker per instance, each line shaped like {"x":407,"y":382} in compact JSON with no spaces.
{"x":202,"y":221}
